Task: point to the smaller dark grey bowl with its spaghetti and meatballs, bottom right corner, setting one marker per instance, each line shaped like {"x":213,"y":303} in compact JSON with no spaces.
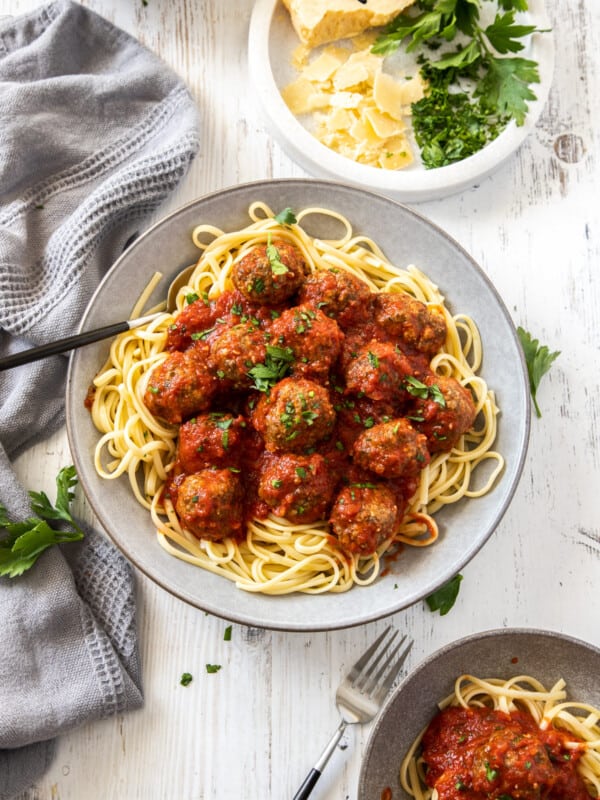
{"x":507,"y":713}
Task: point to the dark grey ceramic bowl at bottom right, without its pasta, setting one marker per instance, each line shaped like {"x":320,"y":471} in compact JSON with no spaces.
{"x":504,"y":653}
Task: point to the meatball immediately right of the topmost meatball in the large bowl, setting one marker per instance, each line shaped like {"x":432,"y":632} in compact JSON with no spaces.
{"x":339,"y":294}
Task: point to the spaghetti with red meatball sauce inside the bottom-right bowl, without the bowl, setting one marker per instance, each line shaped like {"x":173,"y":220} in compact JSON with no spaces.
{"x":497,"y":738}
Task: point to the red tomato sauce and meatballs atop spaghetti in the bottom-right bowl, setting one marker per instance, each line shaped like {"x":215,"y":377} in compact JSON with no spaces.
{"x":484,"y":754}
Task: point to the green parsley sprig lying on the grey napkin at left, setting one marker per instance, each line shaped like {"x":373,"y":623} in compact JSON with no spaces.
{"x":23,"y":542}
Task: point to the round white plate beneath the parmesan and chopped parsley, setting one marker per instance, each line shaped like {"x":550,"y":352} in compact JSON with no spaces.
{"x":272,"y":41}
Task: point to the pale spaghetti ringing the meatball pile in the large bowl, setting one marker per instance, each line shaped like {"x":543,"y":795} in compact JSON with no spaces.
{"x":277,"y":556}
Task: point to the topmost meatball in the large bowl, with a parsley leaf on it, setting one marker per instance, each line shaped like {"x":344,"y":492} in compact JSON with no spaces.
{"x":270,"y":273}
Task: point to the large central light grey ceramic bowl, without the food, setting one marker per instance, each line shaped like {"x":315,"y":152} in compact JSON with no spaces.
{"x":406,"y":237}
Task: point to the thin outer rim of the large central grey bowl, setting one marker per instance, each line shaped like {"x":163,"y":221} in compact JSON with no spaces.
{"x":241,"y":617}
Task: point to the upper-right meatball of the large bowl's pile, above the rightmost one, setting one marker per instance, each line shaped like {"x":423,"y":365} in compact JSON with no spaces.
{"x":420,"y":327}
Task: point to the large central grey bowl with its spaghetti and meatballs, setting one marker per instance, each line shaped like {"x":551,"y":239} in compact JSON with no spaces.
{"x":336,"y":403}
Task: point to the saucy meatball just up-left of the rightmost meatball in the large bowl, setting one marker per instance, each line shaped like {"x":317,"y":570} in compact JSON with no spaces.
{"x":379,"y":371}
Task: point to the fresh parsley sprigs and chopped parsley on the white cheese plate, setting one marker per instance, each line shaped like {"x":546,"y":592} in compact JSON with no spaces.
{"x":450,"y":125}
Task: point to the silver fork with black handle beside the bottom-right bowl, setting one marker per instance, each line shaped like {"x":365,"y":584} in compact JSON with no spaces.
{"x":361,"y":694}
